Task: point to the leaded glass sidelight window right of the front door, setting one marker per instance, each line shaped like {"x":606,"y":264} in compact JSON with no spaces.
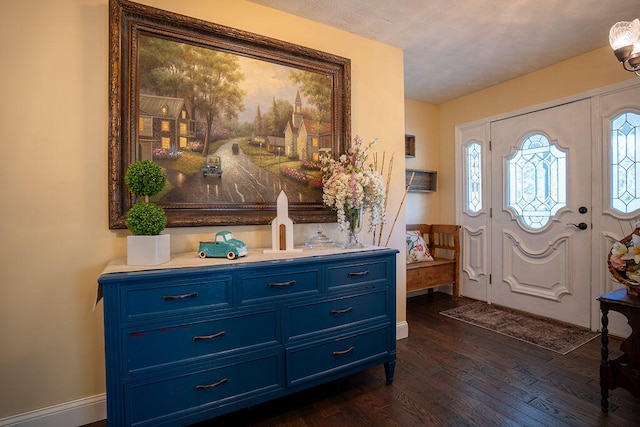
{"x":625,"y":162}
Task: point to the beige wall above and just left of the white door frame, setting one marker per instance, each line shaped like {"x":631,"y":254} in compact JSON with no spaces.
{"x":585,"y":72}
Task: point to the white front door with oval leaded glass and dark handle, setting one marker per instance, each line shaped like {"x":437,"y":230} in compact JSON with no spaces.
{"x":541,"y":212}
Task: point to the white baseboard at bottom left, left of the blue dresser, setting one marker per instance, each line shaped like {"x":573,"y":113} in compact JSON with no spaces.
{"x":75,"y":413}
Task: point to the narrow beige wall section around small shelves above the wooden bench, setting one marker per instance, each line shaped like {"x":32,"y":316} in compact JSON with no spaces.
{"x":421,"y":120}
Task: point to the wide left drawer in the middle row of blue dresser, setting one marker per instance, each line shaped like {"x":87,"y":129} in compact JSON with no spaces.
{"x":149,"y":348}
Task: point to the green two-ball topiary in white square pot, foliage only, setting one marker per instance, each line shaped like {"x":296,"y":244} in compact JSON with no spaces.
{"x":145,"y":178}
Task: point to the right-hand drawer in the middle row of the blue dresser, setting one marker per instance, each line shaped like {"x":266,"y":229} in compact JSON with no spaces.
{"x":337,"y":312}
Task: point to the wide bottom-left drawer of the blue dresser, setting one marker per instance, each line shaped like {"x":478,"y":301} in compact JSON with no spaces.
{"x":151,"y":403}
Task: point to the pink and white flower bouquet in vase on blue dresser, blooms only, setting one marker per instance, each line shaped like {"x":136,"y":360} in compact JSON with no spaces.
{"x":351,"y":187}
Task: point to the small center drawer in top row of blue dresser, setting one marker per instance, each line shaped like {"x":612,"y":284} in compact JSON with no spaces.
{"x":260,"y":288}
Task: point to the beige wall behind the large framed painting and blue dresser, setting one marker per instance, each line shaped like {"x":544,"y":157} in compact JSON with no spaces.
{"x":53,"y":169}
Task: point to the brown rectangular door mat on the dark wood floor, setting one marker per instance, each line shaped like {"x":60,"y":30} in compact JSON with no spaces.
{"x":546,"y":333}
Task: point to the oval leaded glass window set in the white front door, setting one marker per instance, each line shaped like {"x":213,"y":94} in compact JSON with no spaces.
{"x":537,"y":181}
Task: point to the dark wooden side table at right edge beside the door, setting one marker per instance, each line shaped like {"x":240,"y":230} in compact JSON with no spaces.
{"x":623,"y":371}
